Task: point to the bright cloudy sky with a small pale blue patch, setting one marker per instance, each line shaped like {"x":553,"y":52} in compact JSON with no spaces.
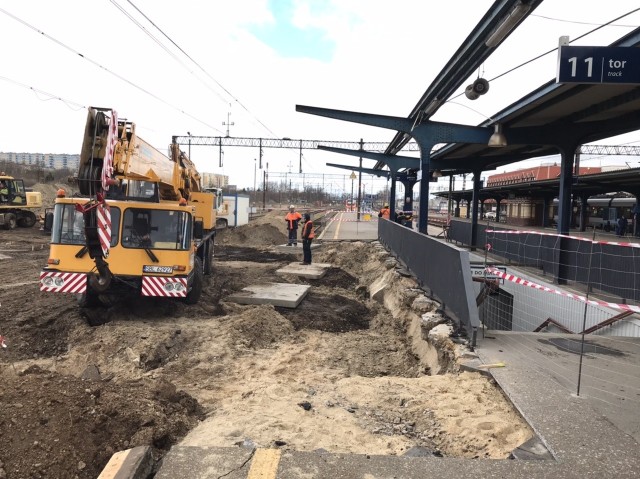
{"x":207,"y":66}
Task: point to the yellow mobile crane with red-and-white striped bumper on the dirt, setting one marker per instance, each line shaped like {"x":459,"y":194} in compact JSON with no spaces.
{"x":141,"y":223}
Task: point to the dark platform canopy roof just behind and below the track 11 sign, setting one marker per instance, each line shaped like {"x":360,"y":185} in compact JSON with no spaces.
{"x":551,"y":115}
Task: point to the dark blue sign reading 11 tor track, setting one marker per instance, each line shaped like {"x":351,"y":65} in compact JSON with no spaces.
{"x":598,"y":65}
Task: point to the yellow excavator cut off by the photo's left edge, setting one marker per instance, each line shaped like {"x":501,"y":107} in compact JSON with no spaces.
{"x":17,"y":204}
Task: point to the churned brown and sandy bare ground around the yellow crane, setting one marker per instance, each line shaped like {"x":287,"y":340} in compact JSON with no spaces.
{"x":341,"y":373}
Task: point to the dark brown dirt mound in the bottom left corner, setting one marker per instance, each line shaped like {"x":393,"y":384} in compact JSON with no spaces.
{"x":63,"y":426}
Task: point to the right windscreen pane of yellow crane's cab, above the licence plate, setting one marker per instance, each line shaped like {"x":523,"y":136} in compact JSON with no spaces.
{"x":157,"y":229}
